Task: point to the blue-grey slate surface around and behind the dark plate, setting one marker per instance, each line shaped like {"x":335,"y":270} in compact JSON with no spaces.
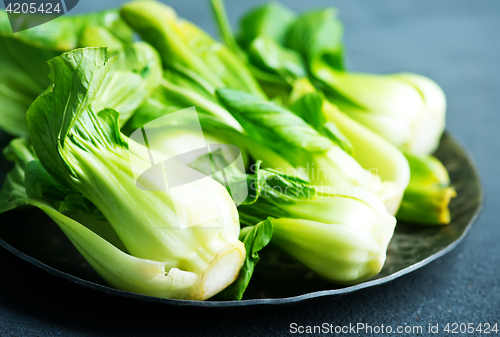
{"x":455,"y":42}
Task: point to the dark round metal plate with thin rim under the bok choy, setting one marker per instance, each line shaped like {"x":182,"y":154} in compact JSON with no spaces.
{"x":30,"y":235}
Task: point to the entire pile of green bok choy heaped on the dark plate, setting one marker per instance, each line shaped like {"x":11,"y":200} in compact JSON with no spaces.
{"x":330,"y":158}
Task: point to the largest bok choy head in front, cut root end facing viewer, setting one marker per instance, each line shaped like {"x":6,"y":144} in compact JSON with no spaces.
{"x":191,"y":230}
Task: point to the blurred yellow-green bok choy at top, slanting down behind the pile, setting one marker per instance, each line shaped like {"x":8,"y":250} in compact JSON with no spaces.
{"x":188,"y":49}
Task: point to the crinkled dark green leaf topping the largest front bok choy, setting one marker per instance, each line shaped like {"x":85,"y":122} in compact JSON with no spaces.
{"x":52,"y":115}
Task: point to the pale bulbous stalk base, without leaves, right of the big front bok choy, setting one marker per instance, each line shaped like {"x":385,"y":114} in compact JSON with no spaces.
{"x":346,"y":245}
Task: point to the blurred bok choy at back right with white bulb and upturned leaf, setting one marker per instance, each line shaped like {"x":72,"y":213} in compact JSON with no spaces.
{"x":406,"y":109}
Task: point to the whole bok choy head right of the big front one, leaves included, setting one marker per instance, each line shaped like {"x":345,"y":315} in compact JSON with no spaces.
{"x":341,"y":237}
